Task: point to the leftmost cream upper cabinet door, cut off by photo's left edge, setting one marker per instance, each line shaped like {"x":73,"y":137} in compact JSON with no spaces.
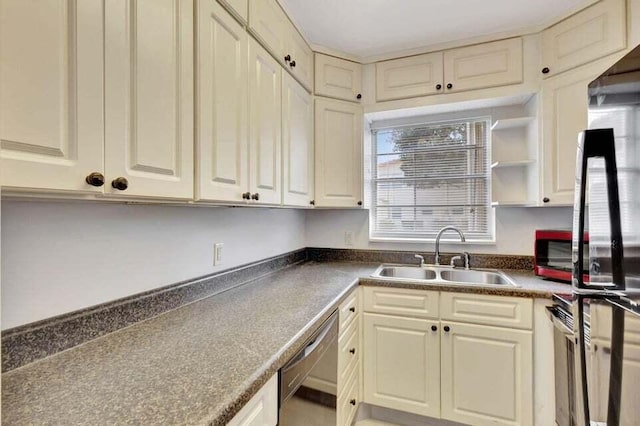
{"x":51,"y":69}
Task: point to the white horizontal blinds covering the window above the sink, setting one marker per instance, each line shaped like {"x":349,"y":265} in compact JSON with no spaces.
{"x":429,"y":176}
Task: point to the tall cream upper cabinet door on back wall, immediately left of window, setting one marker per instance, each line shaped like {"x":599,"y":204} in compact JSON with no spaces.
{"x":338,"y":129}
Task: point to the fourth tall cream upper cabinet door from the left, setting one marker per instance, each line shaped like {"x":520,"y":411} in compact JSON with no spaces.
{"x":265,"y":121}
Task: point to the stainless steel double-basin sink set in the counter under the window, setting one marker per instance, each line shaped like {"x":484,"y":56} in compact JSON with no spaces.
{"x":444,"y":275}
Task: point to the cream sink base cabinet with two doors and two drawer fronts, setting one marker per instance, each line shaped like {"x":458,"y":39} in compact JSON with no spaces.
{"x":477,"y":369}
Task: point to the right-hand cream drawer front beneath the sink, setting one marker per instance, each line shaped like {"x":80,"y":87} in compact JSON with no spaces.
{"x":502,"y":311}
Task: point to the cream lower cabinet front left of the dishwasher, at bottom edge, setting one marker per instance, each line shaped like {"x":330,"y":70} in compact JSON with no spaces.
{"x":262,"y":408}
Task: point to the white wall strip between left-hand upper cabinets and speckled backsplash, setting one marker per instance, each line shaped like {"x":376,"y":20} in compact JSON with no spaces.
{"x":62,"y":256}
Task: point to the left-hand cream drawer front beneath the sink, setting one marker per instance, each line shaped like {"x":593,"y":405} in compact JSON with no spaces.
{"x":401,"y":301}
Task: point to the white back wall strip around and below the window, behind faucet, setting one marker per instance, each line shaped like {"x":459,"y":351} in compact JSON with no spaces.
{"x":514,"y":230}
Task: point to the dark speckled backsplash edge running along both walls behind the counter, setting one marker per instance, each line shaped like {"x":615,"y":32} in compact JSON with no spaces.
{"x":28,"y":343}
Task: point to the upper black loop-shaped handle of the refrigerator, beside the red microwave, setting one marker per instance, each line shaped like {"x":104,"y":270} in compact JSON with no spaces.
{"x":591,"y":144}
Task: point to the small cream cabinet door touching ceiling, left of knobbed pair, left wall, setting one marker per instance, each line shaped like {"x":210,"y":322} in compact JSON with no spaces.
{"x":269,"y":23}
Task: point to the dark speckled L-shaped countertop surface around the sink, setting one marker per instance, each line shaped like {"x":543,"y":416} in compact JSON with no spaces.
{"x":201,"y":363}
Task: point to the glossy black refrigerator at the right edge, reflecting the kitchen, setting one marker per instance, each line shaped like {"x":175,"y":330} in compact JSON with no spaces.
{"x":606,"y":309}
